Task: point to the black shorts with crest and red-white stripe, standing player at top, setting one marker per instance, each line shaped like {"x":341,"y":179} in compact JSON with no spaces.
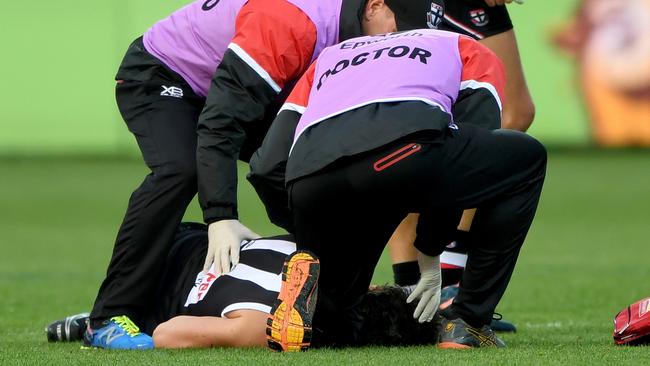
{"x":475,"y":19}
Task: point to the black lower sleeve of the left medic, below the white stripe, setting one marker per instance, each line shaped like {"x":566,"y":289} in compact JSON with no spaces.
{"x":238,"y":99}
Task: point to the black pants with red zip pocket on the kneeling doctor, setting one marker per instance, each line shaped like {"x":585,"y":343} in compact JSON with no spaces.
{"x":346,"y":213}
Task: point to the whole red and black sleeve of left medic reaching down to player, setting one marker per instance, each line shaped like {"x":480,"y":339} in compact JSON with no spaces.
{"x":273,"y":44}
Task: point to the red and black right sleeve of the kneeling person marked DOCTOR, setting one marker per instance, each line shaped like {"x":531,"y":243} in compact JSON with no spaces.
{"x":481,"y":92}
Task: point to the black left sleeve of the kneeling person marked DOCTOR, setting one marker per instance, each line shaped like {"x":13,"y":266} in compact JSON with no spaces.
{"x":268,"y":164}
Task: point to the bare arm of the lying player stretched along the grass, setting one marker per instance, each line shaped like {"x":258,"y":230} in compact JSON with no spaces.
{"x":211,"y":331}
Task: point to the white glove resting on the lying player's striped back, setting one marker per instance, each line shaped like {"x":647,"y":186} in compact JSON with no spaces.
{"x":224,"y":240}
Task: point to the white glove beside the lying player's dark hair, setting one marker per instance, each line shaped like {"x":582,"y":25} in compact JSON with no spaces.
{"x":427,"y":289}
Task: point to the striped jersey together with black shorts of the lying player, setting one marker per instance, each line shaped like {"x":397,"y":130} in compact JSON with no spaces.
{"x":253,"y":284}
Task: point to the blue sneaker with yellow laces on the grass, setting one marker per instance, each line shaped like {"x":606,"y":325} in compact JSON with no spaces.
{"x":119,"y":332}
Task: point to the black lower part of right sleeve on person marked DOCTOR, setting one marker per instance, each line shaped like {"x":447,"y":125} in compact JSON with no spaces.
{"x":477,"y":107}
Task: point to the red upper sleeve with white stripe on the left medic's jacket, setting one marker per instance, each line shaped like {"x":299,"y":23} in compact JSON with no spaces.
{"x":276,"y":39}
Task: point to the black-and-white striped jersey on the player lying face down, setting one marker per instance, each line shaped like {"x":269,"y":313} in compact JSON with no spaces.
{"x":252,"y":284}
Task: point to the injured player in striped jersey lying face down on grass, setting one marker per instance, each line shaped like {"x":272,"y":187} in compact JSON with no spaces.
{"x":195,"y":309}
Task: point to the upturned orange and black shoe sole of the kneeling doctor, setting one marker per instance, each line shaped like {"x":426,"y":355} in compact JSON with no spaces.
{"x":289,"y":326}
